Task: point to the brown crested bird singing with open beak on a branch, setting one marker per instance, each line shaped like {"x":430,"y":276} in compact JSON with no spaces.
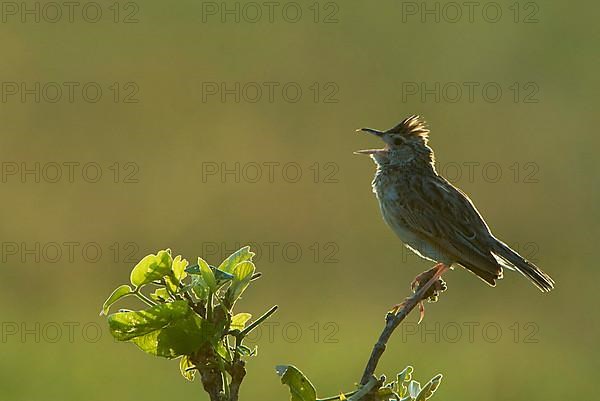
{"x":432,"y":217}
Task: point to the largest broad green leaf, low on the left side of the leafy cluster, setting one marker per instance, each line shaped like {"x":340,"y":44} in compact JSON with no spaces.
{"x":168,"y":330}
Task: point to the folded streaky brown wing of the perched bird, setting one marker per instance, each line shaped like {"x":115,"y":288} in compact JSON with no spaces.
{"x":444,"y":216}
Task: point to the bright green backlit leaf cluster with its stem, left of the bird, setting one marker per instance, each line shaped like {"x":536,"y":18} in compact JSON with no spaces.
{"x":189,"y":315}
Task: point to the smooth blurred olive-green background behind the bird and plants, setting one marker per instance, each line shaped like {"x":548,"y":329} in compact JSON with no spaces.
{"x":356,"y":64}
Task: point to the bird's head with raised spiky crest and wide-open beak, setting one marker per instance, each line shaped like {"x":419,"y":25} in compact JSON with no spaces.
{"x":404,"y":143}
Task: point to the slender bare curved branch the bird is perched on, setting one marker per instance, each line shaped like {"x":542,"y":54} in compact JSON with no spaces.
{"x":393,"y":320}
